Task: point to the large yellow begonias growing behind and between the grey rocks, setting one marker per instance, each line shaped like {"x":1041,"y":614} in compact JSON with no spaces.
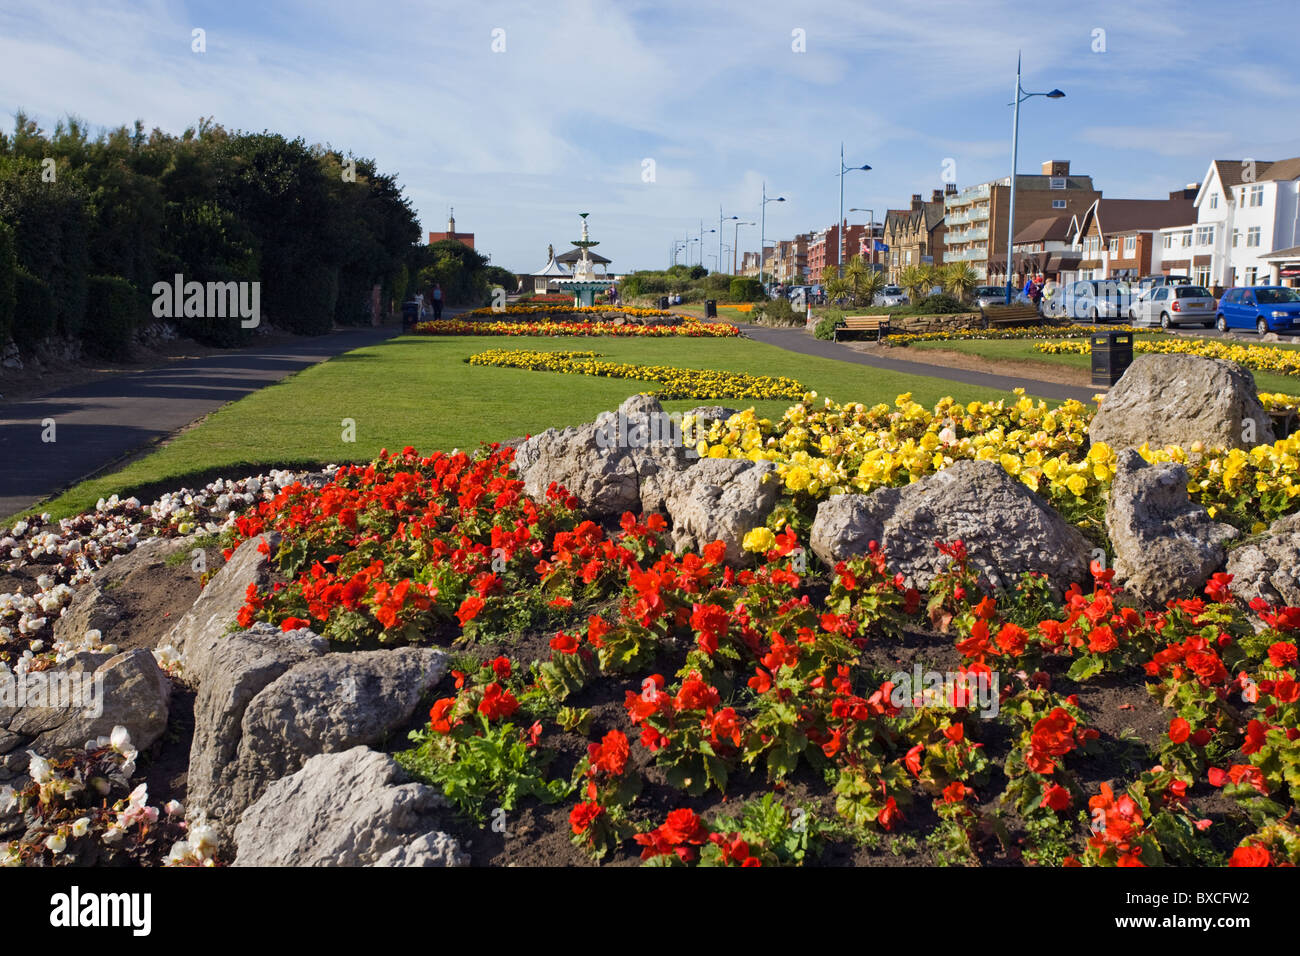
{"x":822,"y":449}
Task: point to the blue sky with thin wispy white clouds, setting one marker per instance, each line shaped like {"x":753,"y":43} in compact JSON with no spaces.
{"x":716,"y":94}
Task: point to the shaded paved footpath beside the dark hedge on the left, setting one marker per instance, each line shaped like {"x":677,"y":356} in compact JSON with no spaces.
{"x":103,"y":422}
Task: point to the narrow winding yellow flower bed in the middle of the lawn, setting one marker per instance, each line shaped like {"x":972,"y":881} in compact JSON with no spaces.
{"x":677,"y":383}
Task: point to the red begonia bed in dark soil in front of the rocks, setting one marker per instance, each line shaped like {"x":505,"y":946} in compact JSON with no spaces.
{"x":768,"y":689}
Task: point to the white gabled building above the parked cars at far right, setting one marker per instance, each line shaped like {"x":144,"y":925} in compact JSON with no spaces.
{"x":1246,"y":210}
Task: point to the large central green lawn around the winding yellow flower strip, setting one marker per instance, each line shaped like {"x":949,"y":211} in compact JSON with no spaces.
{"x":418,"y":391}
